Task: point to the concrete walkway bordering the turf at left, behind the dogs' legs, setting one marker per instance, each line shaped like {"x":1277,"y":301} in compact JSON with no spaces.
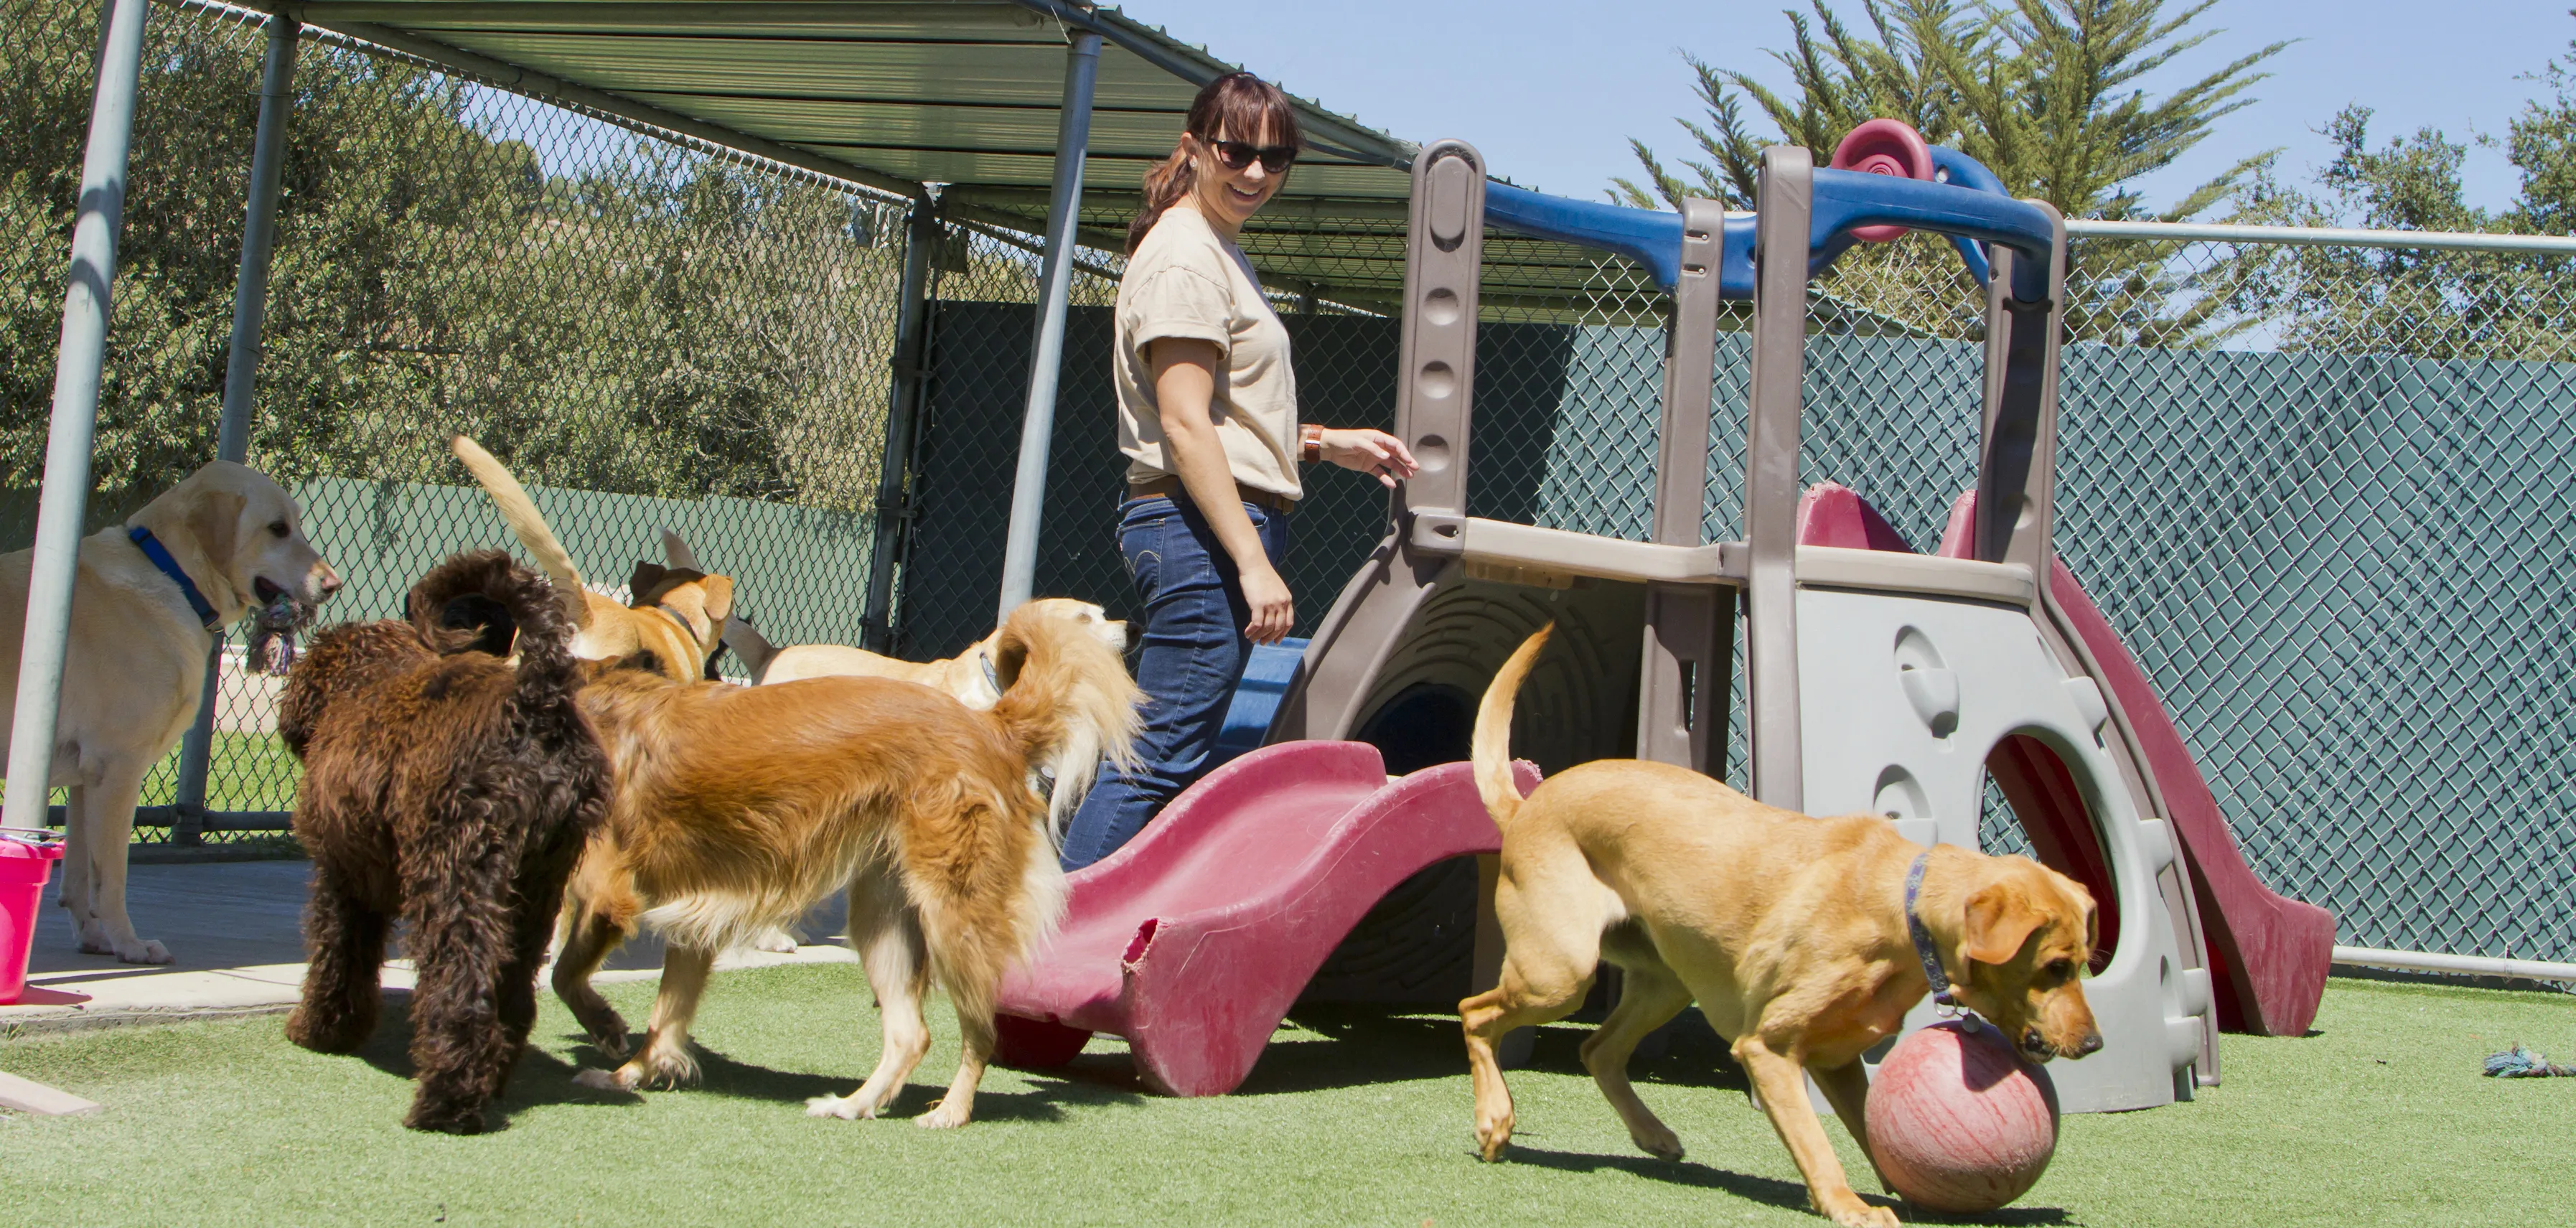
{"x":238,"y":949}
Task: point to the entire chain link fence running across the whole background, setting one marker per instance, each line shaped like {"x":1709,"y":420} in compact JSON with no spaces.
{"x":2320,"y":490}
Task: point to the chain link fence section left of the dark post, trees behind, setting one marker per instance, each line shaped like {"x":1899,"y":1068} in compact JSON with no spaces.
{"x":650,"y":331}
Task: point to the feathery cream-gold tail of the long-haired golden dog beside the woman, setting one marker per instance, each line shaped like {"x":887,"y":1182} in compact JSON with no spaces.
{"x":1070,"y":704}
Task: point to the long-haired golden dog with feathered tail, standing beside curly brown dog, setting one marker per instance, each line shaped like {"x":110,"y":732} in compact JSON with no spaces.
{"x":743,"y":807}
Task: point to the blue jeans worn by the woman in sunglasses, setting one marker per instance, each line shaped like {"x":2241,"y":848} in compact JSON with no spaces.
{"x":1194,"y":655}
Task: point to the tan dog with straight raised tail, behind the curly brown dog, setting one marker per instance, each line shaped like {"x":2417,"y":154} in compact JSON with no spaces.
{"x":674,"y":614}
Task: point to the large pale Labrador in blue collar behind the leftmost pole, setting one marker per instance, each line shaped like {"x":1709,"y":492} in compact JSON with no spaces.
{"x":148,"y":604}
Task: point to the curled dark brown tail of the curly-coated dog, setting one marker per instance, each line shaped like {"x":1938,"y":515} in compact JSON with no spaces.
{"x":486,"y":601}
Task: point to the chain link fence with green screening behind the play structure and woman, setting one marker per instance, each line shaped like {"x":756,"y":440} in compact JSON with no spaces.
{"x":2320,"y":493}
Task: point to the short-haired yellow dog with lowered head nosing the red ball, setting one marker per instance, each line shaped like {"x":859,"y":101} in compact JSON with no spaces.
{"x":1792,"y":933}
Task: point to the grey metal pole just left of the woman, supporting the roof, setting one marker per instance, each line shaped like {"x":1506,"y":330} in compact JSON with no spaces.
{"x":1055,"y":284}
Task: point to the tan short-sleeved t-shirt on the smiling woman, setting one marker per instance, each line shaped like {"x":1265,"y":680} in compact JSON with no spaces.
{"x":1186,"y":282}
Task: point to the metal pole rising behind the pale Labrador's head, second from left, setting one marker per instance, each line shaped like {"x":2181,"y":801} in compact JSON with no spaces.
{"x":241,"y":380}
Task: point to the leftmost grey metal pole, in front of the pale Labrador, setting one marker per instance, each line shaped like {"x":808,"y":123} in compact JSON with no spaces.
{"x":79,"y":367}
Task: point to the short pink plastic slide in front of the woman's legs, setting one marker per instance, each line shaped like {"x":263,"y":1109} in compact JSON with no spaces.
{"x":1199,"y":936}
